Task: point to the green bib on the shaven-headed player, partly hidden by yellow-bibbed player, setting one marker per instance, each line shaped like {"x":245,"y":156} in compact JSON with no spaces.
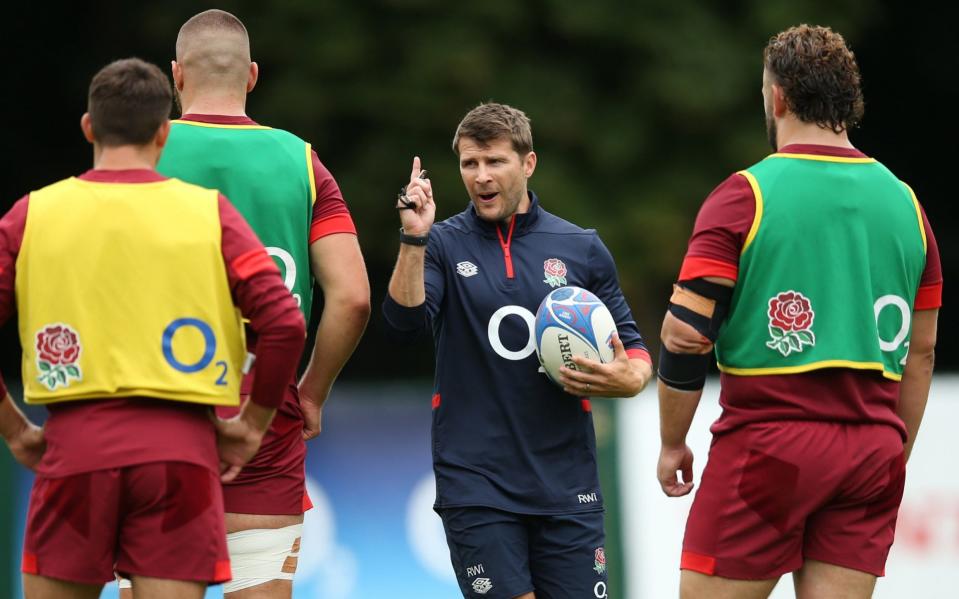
{"x":267,"y":174}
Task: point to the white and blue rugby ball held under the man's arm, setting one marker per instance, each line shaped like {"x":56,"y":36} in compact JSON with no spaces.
{"x":572,"y":322}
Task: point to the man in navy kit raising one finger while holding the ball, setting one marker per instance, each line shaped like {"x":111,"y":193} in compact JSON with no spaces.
{"x":514,"y":455}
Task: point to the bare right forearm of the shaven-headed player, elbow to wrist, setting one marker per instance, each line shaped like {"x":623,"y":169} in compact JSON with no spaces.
{"x":341,"y":326}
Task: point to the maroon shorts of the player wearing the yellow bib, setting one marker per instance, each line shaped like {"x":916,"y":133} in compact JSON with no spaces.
{"x":162,"y":520}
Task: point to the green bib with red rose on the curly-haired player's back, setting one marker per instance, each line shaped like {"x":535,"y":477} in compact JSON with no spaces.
{"x":829,"y":270}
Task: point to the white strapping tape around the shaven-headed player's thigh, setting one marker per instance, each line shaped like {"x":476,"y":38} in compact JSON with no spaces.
{"x":262,"y":554}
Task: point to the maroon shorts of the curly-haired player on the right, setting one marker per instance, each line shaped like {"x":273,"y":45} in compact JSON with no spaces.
{"x":778,"y":493}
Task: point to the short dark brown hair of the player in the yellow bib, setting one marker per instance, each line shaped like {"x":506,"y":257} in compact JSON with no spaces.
{"x":129,"y":100}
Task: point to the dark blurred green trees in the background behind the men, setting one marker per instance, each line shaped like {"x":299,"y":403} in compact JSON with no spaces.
{"x":639,"y":109}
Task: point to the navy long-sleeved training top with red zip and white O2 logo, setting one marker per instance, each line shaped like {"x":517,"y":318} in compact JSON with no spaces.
{"x":503,"y":435}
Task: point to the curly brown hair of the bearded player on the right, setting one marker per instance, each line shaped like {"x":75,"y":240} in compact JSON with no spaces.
{"x":818,"y":74}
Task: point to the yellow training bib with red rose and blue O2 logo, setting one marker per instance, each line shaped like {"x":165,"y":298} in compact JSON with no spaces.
{"x":122,"y":291}
